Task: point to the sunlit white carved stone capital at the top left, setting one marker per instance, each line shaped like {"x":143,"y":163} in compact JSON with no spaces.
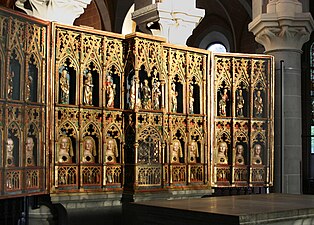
{"x":61,"y":11}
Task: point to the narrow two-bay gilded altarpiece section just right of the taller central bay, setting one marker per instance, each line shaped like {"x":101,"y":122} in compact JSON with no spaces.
{"x":186,"y":152}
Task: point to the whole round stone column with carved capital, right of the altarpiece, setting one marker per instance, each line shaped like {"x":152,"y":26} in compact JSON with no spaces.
{"x":283,"y":30}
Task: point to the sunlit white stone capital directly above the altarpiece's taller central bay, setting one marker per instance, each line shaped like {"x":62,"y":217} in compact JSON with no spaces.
{"x":170,"y":19}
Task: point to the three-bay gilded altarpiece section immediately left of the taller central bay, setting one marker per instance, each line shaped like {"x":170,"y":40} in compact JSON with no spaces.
{"x":87,"y":110}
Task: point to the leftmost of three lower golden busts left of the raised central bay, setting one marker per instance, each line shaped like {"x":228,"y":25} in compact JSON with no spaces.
{"x":65,"y":152}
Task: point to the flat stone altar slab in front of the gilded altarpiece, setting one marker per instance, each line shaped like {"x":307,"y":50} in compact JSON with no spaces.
{"x":279,"y":209}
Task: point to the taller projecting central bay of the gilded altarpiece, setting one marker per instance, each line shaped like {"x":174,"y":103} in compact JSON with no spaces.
{"x":145,"y":83}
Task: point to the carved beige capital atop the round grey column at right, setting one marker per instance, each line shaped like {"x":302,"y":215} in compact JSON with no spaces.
{"x":283,"y":27}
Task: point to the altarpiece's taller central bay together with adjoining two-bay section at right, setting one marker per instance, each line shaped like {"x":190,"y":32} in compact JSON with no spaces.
{"x":165,"y":115}
